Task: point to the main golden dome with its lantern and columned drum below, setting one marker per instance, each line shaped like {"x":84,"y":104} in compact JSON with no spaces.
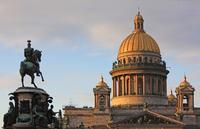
{"x":139,"y":74}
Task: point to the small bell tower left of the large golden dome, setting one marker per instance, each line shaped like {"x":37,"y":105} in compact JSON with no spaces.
{"x":102,"y":97}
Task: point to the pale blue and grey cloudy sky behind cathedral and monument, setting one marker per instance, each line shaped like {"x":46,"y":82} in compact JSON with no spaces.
{"x":80,"y":39}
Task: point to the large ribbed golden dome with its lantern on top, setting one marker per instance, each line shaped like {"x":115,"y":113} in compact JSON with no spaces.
{"x":138,"y":41}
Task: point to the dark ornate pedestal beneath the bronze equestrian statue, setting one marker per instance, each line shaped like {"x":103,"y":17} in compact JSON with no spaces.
{"x":30,"y":110}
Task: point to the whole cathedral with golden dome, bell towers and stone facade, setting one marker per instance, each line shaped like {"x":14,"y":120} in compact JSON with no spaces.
{"x":139,"y":92}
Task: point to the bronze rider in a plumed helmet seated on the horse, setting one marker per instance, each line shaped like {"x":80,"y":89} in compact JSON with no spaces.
{"x":28,"y":53}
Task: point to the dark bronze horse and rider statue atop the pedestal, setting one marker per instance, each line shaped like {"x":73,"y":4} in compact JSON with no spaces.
{"x":30,"y":65}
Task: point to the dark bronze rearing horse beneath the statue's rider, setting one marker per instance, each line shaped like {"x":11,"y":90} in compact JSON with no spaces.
{"x":30,"y":68}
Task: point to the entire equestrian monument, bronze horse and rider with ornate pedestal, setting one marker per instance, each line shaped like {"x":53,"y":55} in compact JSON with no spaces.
{"x":30,"y":107}
